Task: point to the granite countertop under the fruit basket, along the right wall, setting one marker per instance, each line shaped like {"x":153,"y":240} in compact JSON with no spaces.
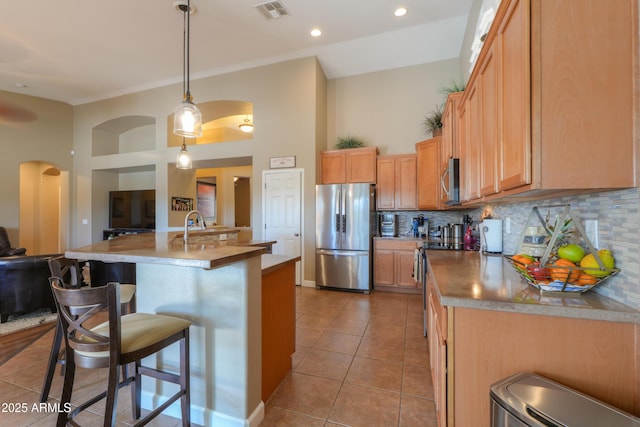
{"x":473,"y":280}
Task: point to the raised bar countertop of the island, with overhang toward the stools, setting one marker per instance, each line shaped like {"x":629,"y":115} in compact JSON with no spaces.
{"x":167,"y":248}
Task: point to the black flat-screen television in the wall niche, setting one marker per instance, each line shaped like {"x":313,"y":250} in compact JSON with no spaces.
{"x":132,"y":209}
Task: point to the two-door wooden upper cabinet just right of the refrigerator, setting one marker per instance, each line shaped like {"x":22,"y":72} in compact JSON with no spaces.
{"x":396,"y":182}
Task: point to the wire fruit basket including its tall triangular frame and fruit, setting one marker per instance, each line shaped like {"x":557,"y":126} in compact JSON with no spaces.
{"x":561,"y":283}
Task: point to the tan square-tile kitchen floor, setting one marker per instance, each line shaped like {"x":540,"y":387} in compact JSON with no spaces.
{"x":361,"y":360}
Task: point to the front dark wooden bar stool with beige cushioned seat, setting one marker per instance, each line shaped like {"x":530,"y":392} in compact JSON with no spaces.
{"x":121,"y":340}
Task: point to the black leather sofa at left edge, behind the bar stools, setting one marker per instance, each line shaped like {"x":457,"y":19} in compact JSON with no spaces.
{"x":24,"y":285}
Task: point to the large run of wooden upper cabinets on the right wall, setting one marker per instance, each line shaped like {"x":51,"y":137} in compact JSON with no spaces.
{"x":555,"y":87}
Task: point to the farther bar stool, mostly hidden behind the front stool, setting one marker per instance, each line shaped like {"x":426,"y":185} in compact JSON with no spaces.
{"x":71,"y":275}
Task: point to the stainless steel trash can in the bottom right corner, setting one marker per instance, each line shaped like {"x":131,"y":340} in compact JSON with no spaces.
{"x":527,"y":399}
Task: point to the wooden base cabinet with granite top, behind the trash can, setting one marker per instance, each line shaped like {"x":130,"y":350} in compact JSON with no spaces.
{"x":485,"y":324}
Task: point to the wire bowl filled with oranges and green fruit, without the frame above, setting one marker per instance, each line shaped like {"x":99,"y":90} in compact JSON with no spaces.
{"x":557,"y":276}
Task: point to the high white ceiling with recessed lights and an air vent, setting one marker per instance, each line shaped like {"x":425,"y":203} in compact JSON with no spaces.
{"x":84,"y":50}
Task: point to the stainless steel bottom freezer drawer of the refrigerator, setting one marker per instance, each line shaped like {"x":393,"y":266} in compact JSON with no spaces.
{"x":343,"y":269}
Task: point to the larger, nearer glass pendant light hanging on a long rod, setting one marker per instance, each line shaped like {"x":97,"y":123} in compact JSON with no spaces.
{"x":187,"y":119}
